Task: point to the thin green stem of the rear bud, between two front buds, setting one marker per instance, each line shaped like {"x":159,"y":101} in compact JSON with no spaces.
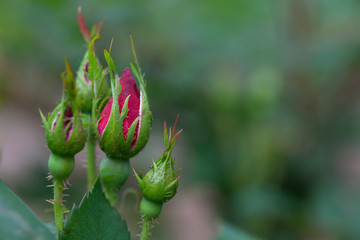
{"x":91,"y":161}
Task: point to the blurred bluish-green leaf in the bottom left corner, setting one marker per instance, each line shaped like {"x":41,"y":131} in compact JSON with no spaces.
{"x":17,"y":221}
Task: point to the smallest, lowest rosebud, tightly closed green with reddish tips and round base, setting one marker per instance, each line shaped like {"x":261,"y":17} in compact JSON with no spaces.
{"x":159,"y":185}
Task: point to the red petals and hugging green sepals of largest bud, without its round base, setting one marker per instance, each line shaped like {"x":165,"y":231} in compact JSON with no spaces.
{"x":125,"y":122}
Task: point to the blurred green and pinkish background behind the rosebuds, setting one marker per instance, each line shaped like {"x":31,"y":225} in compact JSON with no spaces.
{"x":268,"y":97}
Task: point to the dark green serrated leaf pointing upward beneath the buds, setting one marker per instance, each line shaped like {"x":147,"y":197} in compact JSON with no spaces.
{"x":95,"y":219}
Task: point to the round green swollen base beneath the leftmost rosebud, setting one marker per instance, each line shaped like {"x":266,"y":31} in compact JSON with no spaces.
{"x":60,"y":167}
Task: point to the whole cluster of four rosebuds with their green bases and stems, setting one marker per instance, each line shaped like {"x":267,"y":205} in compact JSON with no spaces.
{"x":119,"y":119}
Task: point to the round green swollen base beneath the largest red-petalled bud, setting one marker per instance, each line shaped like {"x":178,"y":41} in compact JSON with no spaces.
{"x":114,"y":172}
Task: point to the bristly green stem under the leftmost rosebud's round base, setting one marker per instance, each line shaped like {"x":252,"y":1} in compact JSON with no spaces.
{"x":58,"y":206}
